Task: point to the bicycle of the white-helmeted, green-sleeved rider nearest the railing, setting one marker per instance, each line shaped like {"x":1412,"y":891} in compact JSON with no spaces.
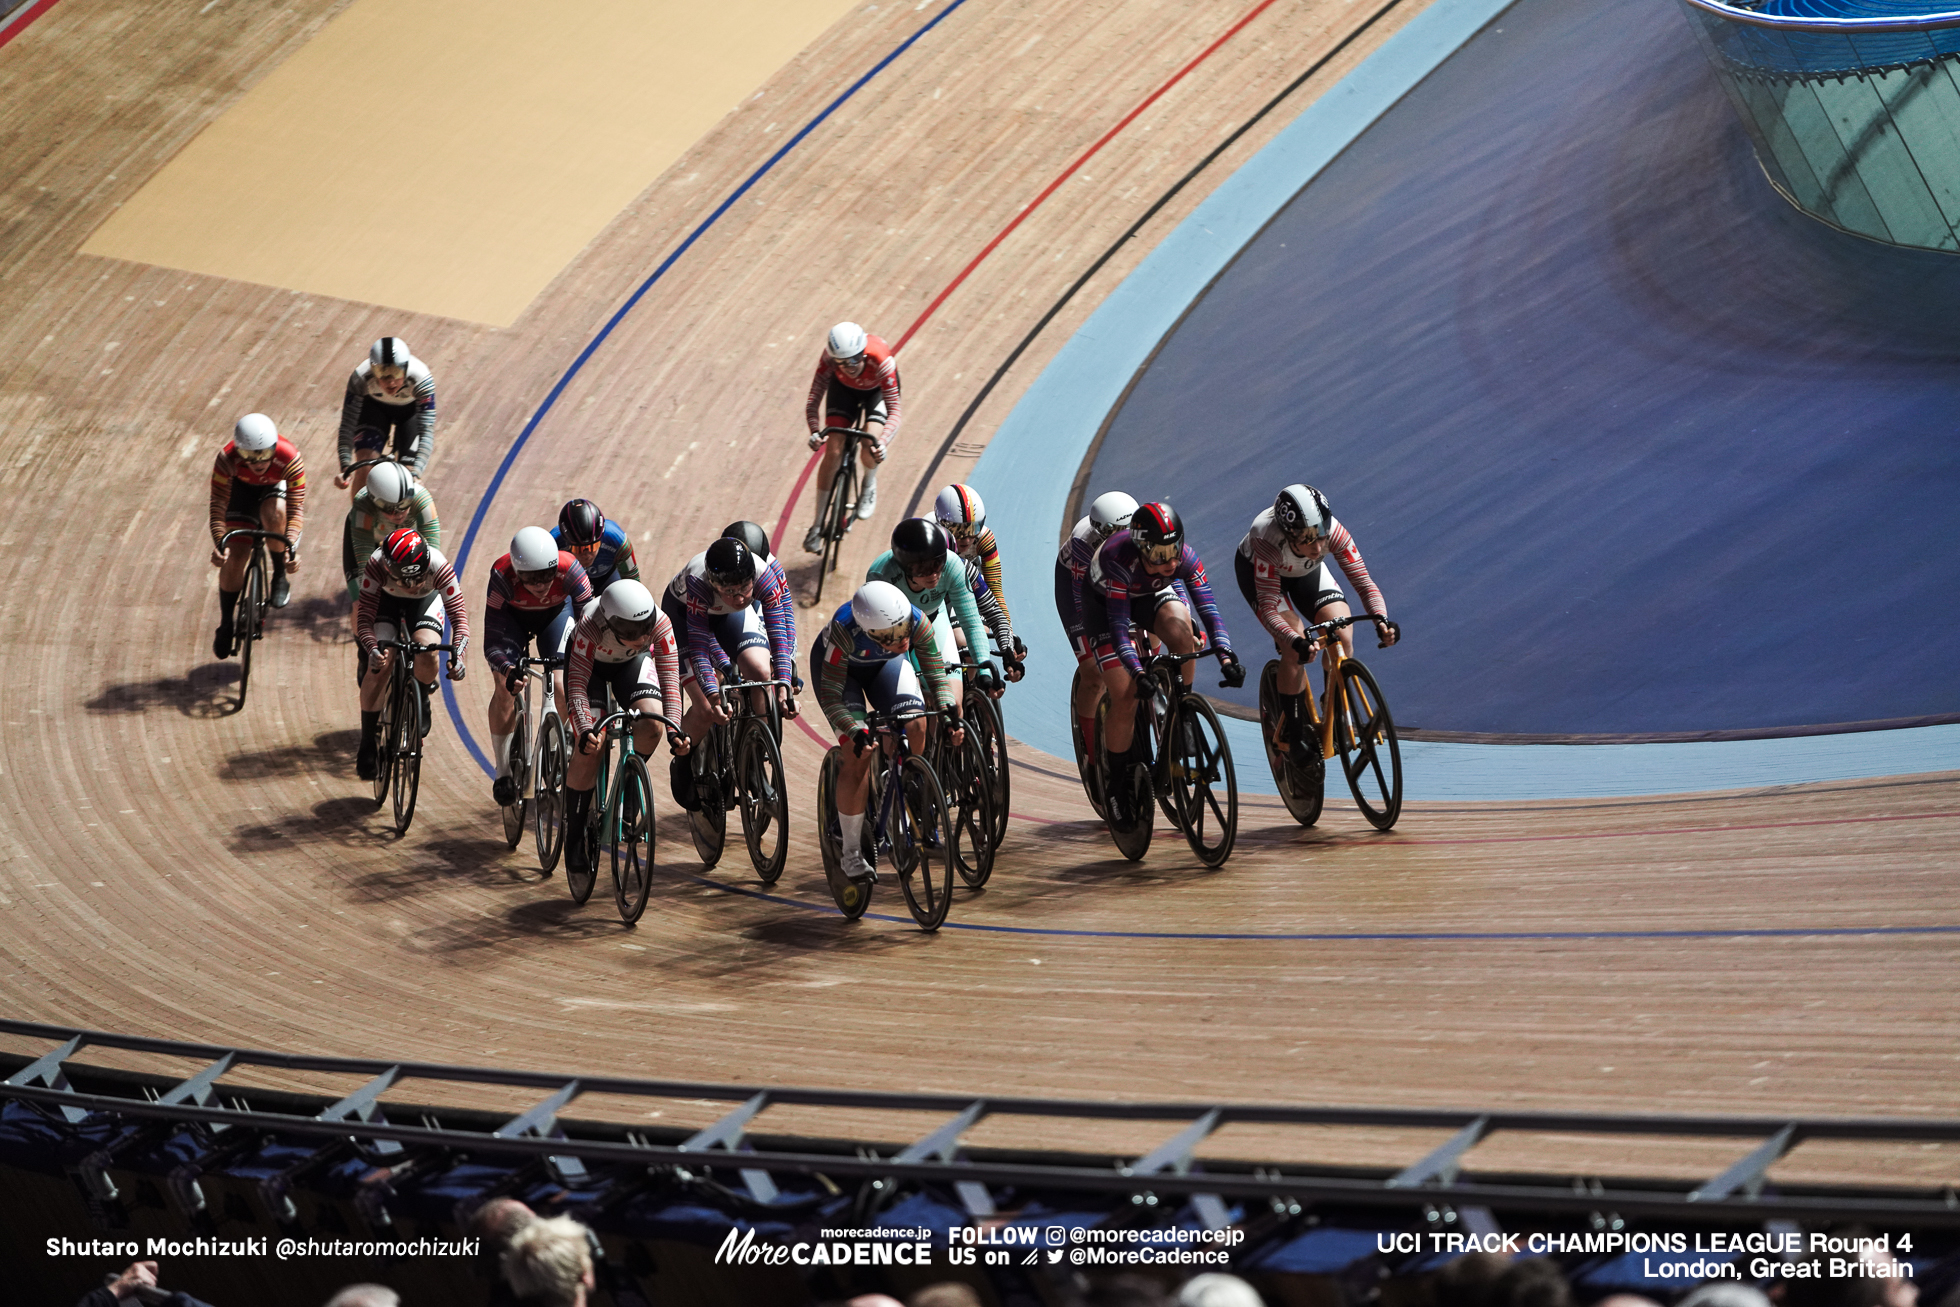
{"x":910,"y":832}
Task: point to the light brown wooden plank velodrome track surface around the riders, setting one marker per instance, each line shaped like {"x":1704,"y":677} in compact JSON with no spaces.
{"x":175,"y":871}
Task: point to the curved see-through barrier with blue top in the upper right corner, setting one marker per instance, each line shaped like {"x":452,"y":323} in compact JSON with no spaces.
{"x":1855,"y":121}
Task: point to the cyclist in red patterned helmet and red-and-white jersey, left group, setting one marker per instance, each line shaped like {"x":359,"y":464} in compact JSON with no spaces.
{"x":401,"y":583}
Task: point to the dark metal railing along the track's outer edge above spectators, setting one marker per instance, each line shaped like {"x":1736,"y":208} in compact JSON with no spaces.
{"x":407,"y":1136}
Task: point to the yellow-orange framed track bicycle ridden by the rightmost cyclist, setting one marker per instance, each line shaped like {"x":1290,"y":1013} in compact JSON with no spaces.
{"x":1351,"y":720}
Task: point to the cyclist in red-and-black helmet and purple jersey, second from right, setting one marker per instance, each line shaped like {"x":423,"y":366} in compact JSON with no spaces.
{"x":1130,"y":581}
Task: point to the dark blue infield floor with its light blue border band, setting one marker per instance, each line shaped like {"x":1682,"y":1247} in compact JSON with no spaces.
{"x":1596,"y":405}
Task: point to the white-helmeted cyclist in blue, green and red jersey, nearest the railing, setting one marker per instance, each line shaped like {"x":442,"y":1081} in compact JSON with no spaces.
{"x":861,"y":657}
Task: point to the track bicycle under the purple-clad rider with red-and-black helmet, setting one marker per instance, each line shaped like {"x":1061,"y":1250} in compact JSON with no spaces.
{"x":1187,"y":763}
